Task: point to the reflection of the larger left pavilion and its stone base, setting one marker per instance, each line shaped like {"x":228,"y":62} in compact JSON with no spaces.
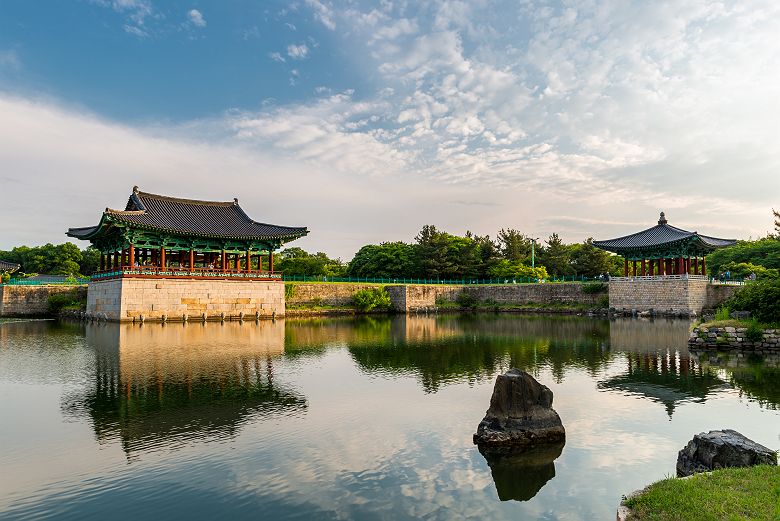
{"x":165,"y":385}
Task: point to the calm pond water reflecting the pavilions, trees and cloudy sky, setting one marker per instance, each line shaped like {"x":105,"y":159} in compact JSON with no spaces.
{"x":366,"y":418}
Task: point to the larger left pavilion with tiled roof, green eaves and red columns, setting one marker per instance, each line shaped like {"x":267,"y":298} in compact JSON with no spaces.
{"x":161,"y":236}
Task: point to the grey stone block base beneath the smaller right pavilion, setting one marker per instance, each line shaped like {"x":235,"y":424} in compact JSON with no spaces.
{"x":661,"y":295}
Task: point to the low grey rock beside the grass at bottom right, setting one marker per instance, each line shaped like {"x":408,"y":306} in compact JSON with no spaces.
{"x":717,"y":449}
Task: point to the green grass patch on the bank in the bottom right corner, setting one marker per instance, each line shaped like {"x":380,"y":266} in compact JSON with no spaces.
{"x":736,"y":493}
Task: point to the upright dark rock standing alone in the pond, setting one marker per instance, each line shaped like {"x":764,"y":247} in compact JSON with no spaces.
{"x":520,"y":414}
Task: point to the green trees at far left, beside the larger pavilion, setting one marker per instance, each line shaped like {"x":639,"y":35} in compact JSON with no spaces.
{"x":60,"y":259}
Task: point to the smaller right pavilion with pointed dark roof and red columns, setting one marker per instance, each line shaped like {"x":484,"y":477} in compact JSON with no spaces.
{"x":664,"y":250}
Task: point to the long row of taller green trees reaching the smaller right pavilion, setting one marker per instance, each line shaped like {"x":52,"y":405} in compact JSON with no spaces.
{"x":436,"y":254}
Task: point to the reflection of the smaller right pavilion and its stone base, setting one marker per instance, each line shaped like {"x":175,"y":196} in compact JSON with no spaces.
{"x":658,"y":364}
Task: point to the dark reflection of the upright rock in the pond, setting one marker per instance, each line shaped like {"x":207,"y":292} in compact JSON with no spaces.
{"x":520,"y":475}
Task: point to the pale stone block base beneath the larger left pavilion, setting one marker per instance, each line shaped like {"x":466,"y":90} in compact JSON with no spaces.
{"x":130,"y":299}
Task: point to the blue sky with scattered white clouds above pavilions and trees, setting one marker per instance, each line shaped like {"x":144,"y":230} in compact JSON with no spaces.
{"x":365,"y":121}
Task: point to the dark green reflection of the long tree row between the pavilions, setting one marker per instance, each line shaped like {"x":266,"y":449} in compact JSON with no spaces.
{"x":452,"y":348}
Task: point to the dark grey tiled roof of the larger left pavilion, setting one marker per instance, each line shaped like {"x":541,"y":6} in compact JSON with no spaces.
{"x":190,"y":217}
